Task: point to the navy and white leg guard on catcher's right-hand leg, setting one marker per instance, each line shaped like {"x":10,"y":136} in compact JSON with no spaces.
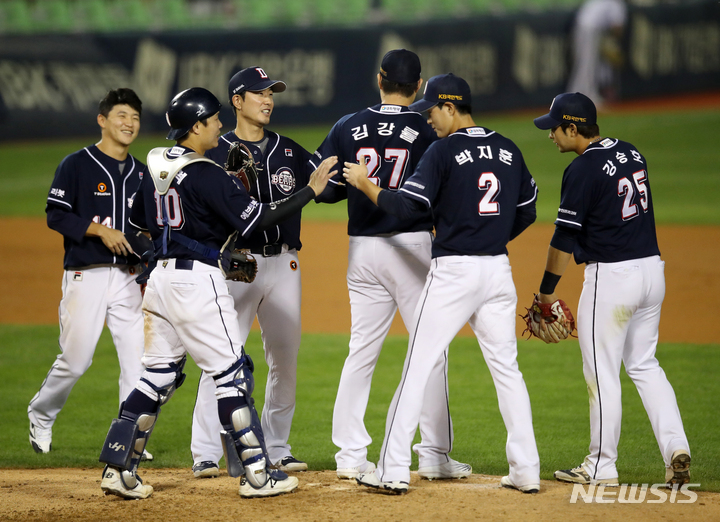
{"x":242,"y":436}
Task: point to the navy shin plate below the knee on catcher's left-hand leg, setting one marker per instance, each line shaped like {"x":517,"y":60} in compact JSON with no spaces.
{"x":127,"y":438}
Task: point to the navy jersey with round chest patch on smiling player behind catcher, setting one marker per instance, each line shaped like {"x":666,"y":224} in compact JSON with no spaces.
{"x":283,"y":169}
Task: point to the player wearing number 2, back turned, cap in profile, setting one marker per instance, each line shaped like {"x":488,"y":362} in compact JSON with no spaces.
{"x":481,"y":195}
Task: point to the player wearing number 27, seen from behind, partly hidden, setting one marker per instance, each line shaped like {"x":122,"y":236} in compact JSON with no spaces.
{"x":387,"y":263}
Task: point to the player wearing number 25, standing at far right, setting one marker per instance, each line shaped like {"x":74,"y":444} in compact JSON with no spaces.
{"x":606,"y":221}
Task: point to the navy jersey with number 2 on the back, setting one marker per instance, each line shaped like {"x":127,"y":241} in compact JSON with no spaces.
{"x":476,"y":182}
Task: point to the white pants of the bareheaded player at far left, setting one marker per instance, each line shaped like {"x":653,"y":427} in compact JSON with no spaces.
{"x":90,"y":298}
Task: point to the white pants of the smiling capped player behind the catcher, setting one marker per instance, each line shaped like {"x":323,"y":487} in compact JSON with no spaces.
{"x":275,"y":297}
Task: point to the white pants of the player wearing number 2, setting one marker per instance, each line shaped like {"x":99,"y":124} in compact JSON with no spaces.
{"x":460,"y":289}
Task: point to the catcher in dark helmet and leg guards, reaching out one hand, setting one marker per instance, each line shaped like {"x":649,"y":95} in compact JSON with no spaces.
{"x":193,"y":210}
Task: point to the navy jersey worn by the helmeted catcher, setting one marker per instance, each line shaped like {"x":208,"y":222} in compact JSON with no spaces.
{"x":203,"y":204}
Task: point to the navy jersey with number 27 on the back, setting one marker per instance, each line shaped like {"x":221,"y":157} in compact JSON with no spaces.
{"x":392,"y":139}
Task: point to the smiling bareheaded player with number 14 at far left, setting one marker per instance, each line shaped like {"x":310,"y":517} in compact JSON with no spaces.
{"x":89,"y":204}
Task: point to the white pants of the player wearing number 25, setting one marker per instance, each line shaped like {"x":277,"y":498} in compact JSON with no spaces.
{"x":618,"y":320}
